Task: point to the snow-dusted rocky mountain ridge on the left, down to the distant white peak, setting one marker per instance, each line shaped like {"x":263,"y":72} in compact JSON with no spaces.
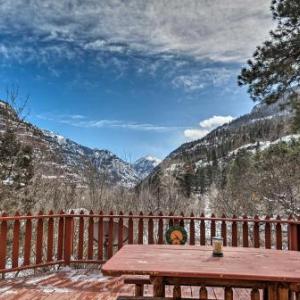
{"x":57,"y":157}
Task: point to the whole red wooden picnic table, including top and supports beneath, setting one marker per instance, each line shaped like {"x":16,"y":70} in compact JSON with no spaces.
{"x":275,"y":271}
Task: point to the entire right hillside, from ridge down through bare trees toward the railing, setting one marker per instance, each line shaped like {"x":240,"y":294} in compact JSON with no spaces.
{"x":202,"y":171}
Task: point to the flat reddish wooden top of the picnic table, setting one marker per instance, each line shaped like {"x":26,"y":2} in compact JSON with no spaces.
{"x":251,"y":264}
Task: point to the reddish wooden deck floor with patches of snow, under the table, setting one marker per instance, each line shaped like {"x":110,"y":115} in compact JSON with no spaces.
{"x":85,"y":285}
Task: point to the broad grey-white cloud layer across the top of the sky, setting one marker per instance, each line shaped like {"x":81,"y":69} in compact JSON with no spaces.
{"x":225,"y":30}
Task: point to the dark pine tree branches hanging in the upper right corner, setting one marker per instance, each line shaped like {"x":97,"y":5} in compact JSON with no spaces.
{"x":274,"y":70}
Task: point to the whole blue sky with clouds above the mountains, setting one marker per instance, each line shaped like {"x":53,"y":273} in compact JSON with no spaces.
{"x":135,"y":77}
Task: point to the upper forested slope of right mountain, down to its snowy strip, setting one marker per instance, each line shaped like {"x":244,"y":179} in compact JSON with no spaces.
{"x":198,"y":160}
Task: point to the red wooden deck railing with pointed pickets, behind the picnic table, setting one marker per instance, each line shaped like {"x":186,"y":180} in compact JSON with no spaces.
{"x":32,"y":241}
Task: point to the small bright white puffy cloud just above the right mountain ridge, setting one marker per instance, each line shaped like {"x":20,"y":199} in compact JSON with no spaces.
{"x":206,"y":126}
